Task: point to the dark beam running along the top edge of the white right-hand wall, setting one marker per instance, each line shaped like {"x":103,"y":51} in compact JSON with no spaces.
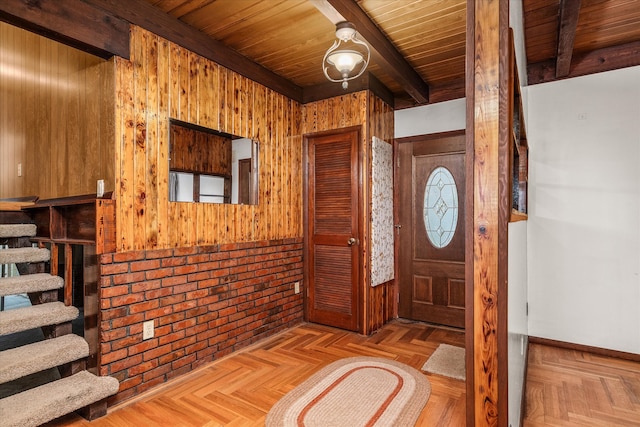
{"x":597,"y":61}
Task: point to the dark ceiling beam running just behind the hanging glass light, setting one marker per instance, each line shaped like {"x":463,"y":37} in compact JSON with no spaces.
{"x":383,"y":52}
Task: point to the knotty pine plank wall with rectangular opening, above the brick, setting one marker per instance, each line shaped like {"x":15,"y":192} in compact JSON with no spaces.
{"x":162,"y":81}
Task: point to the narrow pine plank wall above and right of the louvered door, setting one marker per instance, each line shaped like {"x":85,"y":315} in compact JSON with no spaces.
{"x":376,"y":118}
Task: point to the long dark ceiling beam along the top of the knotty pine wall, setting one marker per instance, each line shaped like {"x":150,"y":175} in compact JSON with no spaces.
{"x":143,"y":14}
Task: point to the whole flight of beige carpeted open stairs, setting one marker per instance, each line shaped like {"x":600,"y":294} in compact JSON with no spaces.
{"x":78,"y":389}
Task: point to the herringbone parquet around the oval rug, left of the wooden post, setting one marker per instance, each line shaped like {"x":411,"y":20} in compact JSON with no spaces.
{"x":239,"y":389}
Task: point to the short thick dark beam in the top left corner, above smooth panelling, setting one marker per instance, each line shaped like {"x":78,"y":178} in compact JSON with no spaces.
{"x":76,"y":24}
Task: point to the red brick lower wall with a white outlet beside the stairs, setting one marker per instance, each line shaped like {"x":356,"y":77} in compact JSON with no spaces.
{"x":205,"y":302}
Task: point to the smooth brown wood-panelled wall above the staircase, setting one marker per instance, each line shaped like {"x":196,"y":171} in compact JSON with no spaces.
{"x":56,"y":117}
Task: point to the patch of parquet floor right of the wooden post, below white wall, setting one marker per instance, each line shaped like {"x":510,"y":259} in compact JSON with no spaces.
{"x":574,"y":388}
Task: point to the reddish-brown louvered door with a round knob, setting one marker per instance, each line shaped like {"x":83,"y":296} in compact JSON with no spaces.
{"x":331,"y":229}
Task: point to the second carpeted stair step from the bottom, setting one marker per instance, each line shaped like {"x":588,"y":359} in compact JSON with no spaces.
{"x":26,"y":360}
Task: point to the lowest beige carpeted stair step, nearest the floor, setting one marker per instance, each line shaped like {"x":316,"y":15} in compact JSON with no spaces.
{"x":55,"y":399}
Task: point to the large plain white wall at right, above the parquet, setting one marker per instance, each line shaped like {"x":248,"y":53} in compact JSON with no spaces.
{"x":584,"y":210}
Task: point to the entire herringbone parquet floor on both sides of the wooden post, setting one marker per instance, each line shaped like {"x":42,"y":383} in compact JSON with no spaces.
{"x":563,"y":387}
